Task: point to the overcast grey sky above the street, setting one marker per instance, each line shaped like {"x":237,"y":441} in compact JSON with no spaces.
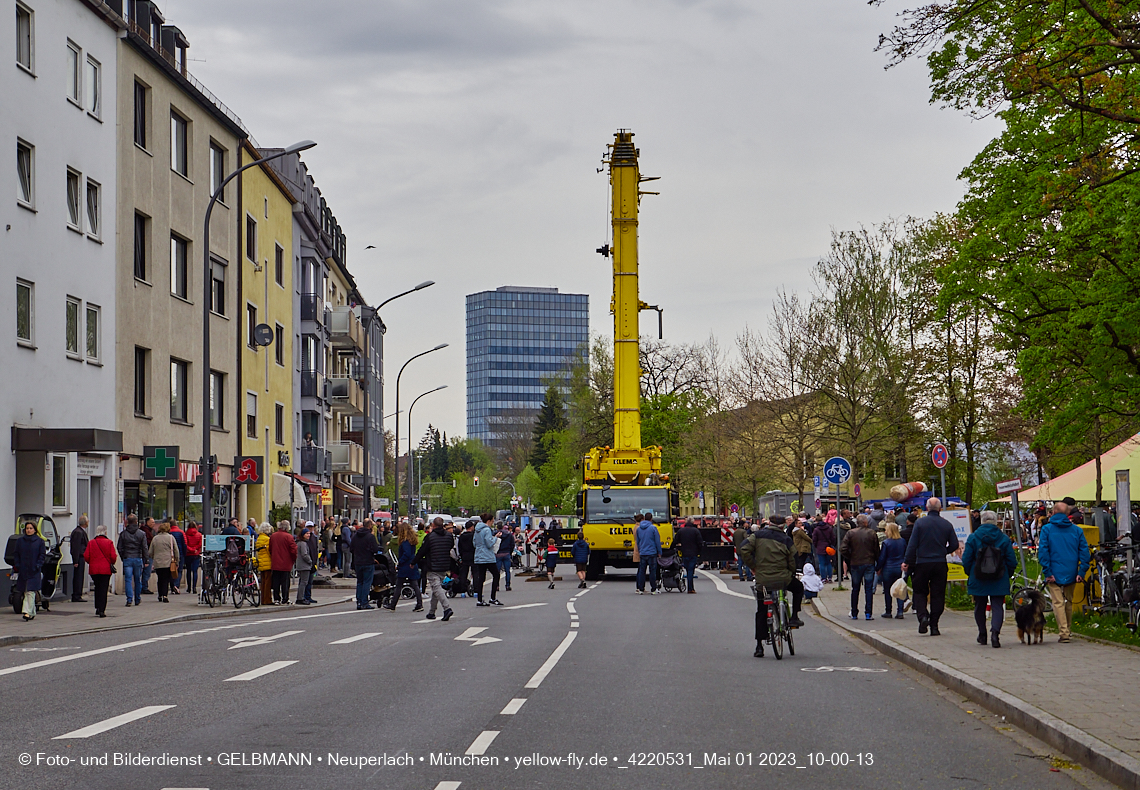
{"x":462,"y":137}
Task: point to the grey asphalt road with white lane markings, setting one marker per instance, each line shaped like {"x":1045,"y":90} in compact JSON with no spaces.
{"x":647,"y":691}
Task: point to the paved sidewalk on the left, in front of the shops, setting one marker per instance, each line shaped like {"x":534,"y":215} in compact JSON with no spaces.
{"x":67,"y":618}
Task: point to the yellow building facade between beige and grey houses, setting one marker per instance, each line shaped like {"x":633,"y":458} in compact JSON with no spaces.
{"x":267,"y":291}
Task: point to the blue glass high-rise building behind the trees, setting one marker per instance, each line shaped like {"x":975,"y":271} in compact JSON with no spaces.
{"x":519,"y":341}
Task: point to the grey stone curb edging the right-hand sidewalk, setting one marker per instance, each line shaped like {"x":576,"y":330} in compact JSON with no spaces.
{"x":1100,"y":758}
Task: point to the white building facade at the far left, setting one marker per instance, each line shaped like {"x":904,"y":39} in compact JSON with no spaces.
{"x":58,"y":260}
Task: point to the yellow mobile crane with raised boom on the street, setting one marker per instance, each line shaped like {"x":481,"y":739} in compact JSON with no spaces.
{"x":624,"y":480}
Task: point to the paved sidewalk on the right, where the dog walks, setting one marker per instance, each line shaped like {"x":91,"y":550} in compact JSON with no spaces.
{"x":1081,"y":698}
